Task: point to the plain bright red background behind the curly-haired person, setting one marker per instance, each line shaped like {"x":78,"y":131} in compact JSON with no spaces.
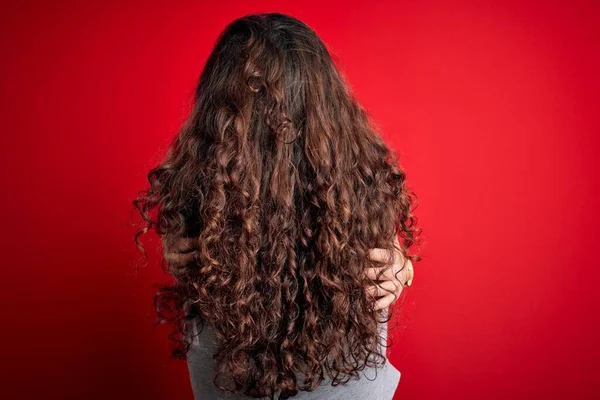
{"x":493,"y":109}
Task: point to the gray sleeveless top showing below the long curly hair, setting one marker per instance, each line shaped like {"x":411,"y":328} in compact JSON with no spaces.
{"x":374,"y":384}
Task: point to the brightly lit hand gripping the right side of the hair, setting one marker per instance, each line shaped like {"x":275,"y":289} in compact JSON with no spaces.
{"x":391,"y":282}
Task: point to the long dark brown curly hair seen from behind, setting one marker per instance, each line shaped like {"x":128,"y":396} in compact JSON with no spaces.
{"x":283,"y":181}
